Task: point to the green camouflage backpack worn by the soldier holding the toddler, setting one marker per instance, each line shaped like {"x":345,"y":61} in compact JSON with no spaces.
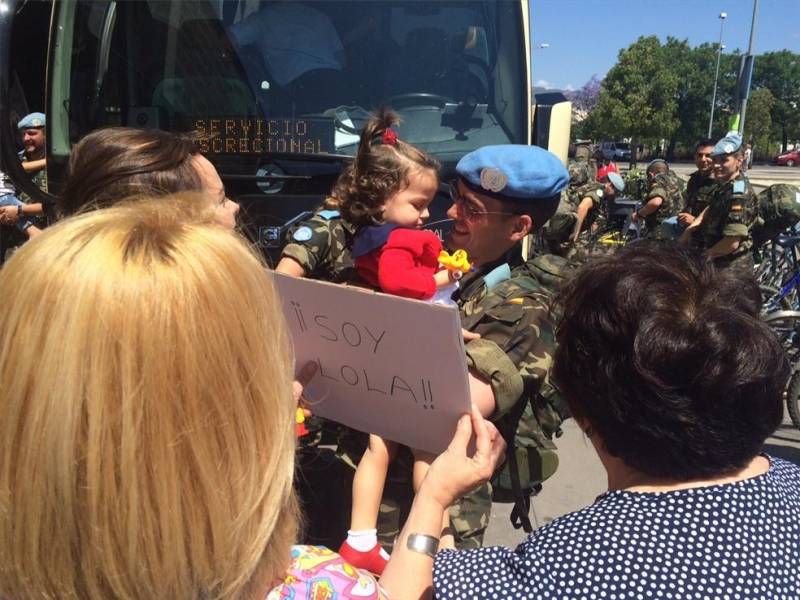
{"x":529,"y":428}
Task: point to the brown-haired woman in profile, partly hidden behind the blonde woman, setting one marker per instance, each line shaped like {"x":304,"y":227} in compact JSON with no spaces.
{"x":115,"y":163}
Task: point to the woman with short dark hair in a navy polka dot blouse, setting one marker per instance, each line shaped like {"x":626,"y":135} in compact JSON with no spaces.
{"x":666,"y":366}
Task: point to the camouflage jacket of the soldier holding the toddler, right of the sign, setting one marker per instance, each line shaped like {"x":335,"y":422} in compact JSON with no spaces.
{"x":507,"y":303}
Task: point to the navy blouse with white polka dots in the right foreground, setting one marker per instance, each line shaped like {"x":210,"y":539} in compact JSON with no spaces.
{"x":731,"y":541}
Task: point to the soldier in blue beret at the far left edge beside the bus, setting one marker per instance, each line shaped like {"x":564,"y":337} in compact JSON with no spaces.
{"x":33,"y":137}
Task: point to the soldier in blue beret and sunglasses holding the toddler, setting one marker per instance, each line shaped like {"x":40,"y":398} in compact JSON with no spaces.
{"x":505,"y":302}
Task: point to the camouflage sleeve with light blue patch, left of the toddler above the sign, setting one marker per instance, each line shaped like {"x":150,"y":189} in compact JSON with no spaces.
{"x":320,"y":245}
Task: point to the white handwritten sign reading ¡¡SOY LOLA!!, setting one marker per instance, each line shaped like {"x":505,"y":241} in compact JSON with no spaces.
{"x":386,"y":365}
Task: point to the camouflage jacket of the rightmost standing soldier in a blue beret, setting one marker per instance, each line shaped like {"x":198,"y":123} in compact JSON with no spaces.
{"x":732,"y":212}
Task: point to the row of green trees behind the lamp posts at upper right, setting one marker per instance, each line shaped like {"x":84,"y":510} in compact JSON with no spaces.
{"x":663,"y":91}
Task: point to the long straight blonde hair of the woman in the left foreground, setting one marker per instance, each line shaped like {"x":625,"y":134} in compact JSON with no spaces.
{"x":147,"y":427}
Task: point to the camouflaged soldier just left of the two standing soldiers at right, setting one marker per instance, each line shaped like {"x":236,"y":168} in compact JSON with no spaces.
{"x":664,"y":198}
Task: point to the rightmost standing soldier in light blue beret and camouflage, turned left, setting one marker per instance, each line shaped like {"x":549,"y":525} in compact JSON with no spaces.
{"x":725,"y":226}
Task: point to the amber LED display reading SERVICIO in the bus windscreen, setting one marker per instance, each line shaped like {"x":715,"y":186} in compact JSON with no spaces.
{"x":261,"y":136}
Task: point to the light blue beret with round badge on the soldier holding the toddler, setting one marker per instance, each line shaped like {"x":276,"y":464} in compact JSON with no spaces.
{"x":514,"y":171}
